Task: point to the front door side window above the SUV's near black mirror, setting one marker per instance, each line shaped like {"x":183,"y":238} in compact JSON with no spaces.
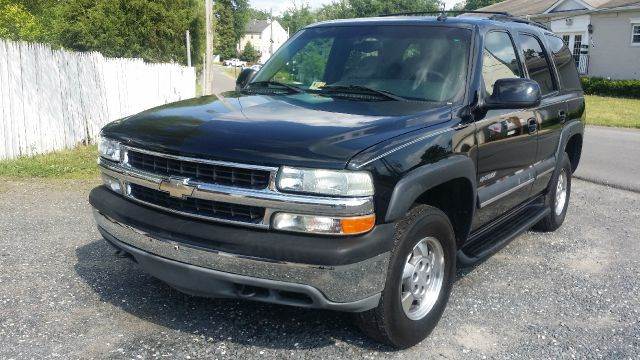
{"x":499,"y":60}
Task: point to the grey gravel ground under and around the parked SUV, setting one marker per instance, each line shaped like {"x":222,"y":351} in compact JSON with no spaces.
{"x":63,"y":293}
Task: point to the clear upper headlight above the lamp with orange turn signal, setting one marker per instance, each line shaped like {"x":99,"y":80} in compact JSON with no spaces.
{"x":325,"y":182}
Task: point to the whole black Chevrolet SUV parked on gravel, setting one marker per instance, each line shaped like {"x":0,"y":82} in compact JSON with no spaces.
{"x":366,"y":161}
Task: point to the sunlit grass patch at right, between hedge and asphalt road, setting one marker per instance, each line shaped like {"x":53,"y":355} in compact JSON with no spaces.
{"x":608,"y":111}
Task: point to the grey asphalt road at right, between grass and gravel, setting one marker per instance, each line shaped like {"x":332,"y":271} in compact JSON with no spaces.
{"x":611,"y":156}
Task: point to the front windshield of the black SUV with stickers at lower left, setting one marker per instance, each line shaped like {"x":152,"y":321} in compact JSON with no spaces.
{"x":425,"y":63}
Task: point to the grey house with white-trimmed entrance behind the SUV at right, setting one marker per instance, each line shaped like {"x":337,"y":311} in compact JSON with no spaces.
{"x":604,"y":35}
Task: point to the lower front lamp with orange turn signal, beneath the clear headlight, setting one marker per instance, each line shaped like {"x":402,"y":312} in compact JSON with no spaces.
{"x":324,"y":224}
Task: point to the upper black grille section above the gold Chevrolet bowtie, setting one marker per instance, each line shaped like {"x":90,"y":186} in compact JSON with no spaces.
{"x":206,"y":173}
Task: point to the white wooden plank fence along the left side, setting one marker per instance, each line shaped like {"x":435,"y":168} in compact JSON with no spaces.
{"x":55,"y":99}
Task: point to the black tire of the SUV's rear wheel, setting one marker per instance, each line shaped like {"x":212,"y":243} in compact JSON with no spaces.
{"x":555,"y":219}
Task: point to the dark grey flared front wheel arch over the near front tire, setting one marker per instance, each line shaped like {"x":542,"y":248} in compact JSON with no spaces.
{"x":449,"y":185}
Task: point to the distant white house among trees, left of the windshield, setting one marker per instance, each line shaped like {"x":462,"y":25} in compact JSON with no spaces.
{"x":266,"y":36}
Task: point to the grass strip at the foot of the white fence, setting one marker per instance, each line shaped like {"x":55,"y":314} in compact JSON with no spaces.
{"x":79,"y":163}
